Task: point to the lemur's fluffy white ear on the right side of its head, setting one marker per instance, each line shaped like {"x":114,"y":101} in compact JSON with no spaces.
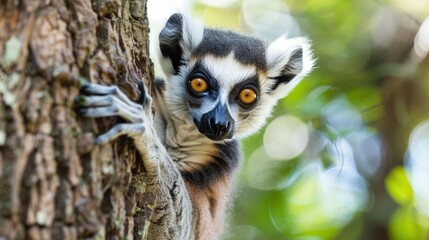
{"x":288,"y":61}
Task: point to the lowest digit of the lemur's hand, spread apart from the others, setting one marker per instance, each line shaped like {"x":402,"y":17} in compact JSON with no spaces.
{"x":132,"y":130}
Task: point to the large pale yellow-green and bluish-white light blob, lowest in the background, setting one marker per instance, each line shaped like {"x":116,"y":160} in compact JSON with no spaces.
{"x":320,"y":199}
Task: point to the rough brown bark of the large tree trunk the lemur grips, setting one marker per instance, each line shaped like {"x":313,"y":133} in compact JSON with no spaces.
{"x":53,"y":182}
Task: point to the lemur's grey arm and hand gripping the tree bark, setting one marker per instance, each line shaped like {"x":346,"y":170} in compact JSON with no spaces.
{"x":173,"y":214}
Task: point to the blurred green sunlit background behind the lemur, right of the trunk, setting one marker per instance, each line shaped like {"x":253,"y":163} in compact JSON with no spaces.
{"x":346,"y":154}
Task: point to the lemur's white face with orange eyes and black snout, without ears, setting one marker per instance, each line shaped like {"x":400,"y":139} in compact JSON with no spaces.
{"x":221,"y":93}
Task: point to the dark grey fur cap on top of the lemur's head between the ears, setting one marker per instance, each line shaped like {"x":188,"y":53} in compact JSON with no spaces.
{"x":247,"y":49}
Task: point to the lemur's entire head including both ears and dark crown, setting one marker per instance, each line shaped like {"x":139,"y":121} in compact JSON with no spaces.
{"x":227,"y":83}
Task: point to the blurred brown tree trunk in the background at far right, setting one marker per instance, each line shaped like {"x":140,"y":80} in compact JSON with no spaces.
{"x":405,"y":101}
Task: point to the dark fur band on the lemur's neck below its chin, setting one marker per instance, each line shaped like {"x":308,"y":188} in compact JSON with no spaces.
{"x":225,"y":161}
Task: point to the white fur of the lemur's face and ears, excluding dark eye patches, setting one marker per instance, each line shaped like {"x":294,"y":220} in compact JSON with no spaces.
{"x":228,"y":71}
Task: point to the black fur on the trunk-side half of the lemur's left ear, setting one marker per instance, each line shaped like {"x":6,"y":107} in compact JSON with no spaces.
{"x":169,"y":40}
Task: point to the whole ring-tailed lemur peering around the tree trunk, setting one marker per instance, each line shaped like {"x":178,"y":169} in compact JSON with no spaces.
{"x":220,"y":86}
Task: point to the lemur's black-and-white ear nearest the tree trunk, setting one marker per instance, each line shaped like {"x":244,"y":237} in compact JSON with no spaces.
{"x":180,"y":36}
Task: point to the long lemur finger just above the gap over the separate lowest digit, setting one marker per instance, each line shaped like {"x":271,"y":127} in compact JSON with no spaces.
{"x":110,"y":111}
